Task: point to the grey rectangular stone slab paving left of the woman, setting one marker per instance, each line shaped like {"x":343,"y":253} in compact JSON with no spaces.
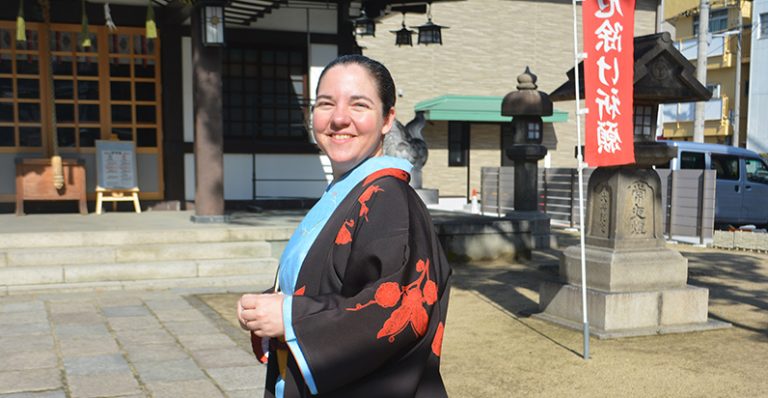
{"x":121,"y":344}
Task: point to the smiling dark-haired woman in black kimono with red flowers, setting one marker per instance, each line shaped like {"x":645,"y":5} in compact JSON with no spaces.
{"x":363,"y":283}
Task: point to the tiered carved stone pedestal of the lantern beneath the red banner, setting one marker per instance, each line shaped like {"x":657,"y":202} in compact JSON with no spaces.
{"x":636,"y":285}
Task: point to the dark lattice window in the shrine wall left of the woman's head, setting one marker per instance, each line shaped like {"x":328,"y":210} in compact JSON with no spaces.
{"x":265,"y":94}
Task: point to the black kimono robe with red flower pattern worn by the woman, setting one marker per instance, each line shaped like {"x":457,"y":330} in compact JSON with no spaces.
{"x":368,"y":308}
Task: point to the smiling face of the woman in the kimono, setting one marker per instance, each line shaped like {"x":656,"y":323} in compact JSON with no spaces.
{"x":347,"y":119}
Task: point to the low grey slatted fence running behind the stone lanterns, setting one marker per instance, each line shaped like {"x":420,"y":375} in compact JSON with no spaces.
{"x":688,"y":199}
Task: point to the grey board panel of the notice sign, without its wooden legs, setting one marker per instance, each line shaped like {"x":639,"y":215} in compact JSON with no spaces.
{"x":116,"y":165}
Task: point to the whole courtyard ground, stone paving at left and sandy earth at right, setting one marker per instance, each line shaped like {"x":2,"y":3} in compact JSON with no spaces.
{"x":184,"y":343}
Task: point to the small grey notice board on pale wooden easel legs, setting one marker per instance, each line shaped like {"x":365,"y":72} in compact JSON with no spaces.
{"x":117,"y":182}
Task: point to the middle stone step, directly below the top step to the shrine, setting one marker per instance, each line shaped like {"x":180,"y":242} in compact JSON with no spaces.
{"x":47,"y":256}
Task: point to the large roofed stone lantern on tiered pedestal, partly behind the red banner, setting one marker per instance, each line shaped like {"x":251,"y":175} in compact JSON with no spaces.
{"x":636,"y":285}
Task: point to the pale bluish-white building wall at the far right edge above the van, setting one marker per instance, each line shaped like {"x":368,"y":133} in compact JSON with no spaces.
{"x":757,"y":116}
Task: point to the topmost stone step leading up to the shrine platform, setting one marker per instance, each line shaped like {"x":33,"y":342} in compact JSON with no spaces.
{"x":140,"y":237}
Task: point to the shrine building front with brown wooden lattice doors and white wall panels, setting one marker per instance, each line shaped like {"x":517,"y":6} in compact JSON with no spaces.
{"x":128,"y":87}
